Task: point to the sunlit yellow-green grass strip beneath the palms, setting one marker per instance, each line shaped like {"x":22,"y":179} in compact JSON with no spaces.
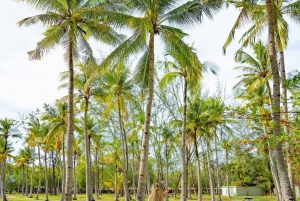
{"x":110,"y":197}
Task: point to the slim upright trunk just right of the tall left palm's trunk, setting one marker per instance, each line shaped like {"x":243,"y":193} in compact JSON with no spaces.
{"x":87,"y":156}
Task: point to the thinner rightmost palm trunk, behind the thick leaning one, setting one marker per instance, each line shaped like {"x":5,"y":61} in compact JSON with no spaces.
{"x":291,"y":173}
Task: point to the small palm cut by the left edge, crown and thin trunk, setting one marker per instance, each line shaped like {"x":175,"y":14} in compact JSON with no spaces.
{"x":7,"y":130}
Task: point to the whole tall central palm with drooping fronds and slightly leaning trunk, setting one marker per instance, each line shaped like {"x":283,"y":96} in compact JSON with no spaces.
{"x":156,"y":18}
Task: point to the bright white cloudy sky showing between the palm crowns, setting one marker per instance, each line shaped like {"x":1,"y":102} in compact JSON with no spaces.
{"x":25,"y":85}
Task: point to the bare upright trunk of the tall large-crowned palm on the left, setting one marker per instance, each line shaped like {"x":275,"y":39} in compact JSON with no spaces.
{"x":70,"y":132}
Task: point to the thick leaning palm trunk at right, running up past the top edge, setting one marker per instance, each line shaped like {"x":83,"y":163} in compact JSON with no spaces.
{"x":286,"y":189}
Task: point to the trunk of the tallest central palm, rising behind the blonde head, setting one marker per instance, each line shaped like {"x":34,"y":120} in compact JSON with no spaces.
{"x":146,"y":134}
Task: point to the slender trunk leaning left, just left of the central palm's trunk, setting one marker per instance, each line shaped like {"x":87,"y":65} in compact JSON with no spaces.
{"x":124,"y":161}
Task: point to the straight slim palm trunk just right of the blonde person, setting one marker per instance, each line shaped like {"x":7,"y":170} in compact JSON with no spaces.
{"x":183,"y":153}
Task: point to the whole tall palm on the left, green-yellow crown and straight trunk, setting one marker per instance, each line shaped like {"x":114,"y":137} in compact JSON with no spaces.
{"x":69,"y":24}
